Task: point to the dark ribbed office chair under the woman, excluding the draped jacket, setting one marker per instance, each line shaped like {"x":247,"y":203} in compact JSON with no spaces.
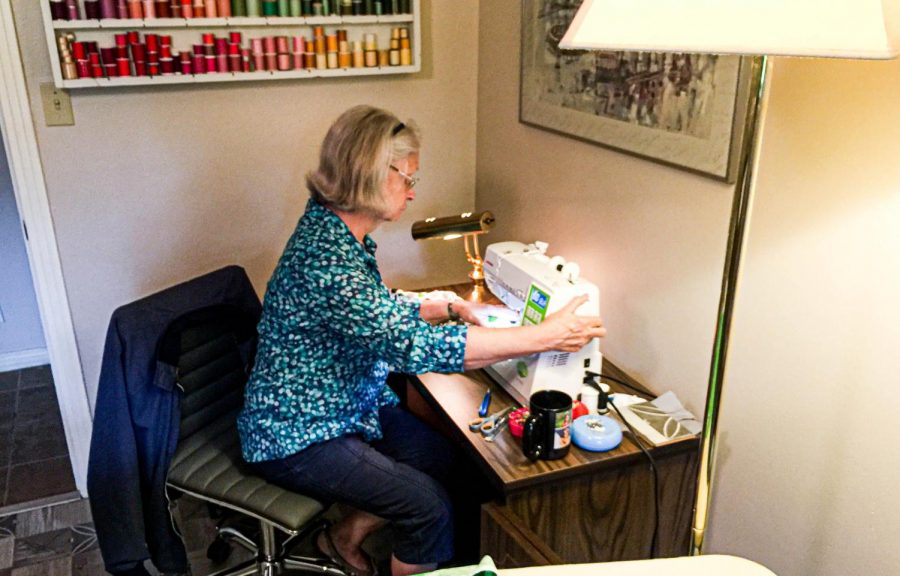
{"x":205,"y":347}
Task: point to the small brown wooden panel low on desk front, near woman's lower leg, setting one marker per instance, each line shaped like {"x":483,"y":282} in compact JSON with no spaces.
{"x":509,"y":543}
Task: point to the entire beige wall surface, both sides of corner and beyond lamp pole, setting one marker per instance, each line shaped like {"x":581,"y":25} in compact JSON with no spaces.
{"x":152,"y":186}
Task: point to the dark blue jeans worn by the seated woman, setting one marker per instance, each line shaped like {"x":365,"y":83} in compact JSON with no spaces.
{"x":398,"y":478}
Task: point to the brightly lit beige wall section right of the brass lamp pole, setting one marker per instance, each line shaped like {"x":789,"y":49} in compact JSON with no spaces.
{"x":808,"y":477}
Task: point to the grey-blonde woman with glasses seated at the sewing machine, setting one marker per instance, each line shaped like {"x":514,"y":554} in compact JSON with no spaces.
{"x":318,"y":417}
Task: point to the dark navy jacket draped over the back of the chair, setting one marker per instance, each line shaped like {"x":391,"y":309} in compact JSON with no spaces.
{"x":136,"y":422}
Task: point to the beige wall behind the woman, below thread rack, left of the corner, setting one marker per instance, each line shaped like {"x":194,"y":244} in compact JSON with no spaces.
{"x":153,"y":186}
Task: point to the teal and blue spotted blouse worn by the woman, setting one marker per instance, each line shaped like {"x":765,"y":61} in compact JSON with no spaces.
{"x":329,"y":334}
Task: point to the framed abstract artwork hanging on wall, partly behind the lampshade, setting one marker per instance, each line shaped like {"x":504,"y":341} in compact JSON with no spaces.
{"x":684,"y":110}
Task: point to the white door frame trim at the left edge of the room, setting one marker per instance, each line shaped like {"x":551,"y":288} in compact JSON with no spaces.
{"x":30,"y":190}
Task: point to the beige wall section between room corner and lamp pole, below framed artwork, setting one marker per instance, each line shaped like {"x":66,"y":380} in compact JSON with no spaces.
{"x":651,"y":236}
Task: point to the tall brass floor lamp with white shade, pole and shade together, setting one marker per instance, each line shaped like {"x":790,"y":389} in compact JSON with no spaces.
{"x":868,"y":29}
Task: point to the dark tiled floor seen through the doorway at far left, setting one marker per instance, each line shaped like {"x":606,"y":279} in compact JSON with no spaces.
{"x":34,"y":459}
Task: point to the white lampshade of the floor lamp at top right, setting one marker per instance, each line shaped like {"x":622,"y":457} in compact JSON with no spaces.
{"x":829,"y":28}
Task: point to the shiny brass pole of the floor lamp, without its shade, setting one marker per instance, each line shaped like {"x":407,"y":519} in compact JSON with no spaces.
{"x":737,"y":236}
